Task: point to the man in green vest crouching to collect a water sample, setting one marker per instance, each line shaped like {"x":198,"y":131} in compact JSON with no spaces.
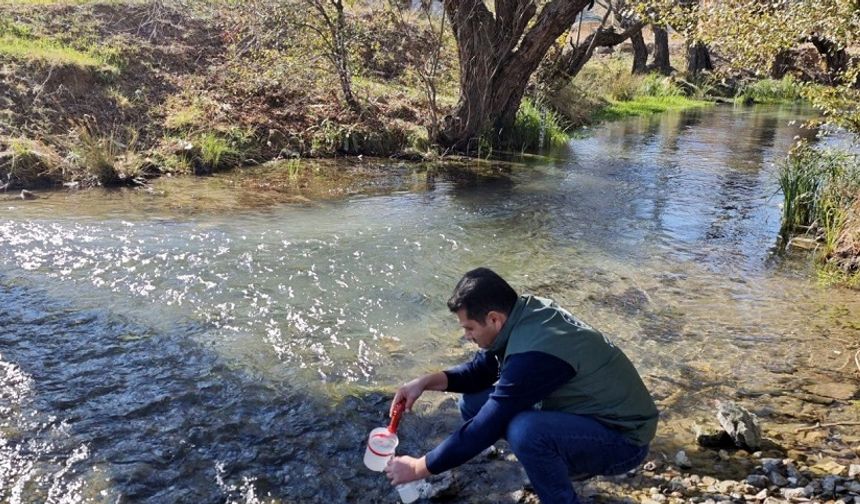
{"x":566,"y":399}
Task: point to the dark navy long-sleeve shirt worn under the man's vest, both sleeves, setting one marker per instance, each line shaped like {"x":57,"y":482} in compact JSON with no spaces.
{"x":527,"y":378}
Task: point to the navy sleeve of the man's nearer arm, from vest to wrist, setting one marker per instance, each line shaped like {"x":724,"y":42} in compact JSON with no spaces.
{"x":526,"y":379}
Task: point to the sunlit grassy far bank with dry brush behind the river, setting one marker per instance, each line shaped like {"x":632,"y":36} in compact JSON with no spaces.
{"x":115,"y":93}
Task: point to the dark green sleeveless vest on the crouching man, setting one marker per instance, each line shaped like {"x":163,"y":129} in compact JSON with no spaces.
{"x":606,"y":386}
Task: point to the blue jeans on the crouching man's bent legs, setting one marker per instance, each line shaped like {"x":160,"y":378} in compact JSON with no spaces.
{"x":552,"y":446}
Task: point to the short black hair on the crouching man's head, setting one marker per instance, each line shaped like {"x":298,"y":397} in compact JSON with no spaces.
{"x":481,"y":291}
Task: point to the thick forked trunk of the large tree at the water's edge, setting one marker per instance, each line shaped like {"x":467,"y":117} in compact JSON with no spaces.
{"x":497,"y":56}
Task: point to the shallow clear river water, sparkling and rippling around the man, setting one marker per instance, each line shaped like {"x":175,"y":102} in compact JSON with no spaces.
{"x":212,"y":341}
